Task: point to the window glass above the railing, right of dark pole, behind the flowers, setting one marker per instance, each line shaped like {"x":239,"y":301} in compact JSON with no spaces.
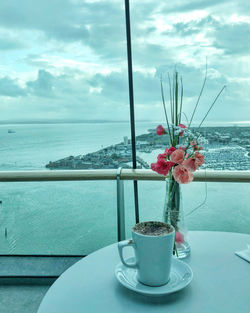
{"x":183,"y":36}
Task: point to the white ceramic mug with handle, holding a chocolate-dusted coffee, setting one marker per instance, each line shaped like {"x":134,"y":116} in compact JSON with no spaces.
{"x":153,"y":255}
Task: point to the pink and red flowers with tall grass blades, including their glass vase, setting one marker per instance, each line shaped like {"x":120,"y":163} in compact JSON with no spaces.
{"x":181,"y":158}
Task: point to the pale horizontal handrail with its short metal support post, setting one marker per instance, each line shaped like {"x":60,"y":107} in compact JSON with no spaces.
{"x":119,"y":175}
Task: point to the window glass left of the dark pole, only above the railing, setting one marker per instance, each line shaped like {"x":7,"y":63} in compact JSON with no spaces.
{"x":63,"y":84}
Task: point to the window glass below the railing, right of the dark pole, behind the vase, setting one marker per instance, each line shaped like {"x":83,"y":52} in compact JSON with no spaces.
{"x":206,"y":206}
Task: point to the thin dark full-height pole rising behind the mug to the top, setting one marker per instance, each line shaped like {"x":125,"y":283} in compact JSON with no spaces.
{"x":131,"y":101}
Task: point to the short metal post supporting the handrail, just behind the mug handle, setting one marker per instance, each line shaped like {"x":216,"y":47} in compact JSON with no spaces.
{"x":120,"y":207}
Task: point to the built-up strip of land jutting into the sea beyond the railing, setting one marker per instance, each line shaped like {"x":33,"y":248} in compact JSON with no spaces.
{"x":228,"y":149}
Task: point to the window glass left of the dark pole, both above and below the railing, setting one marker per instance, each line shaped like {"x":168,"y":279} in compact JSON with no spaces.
{"x":64,"y":105}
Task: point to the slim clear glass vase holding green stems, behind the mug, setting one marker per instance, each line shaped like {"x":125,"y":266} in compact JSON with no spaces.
{"x":173,"y":214}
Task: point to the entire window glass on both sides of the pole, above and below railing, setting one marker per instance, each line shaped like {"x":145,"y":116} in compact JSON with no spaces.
{"x":63,"y":93}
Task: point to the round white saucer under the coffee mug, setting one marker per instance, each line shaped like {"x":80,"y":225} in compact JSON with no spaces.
{"x":180,"y":276}
